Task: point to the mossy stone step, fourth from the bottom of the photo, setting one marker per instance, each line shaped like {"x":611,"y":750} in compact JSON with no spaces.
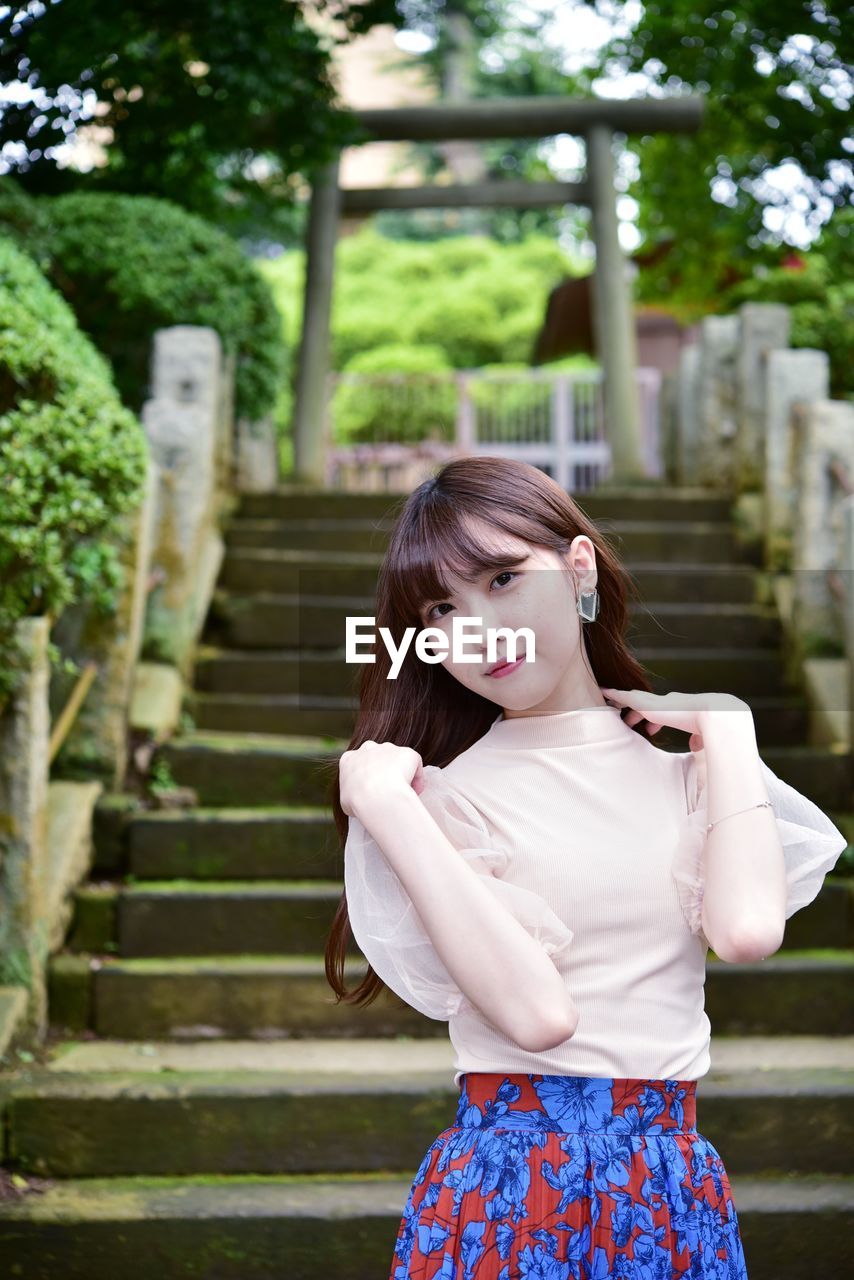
{"x":198,"y":918}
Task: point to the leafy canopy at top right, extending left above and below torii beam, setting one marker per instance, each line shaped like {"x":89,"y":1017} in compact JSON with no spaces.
{"x":778,"y":85}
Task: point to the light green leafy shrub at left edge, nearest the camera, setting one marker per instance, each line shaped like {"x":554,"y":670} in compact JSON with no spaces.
{"x":72,"y":460}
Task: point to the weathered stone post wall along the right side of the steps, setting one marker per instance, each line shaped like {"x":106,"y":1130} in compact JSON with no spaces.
{"x":751,"y":415}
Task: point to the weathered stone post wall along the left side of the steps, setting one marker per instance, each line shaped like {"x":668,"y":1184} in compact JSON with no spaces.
{"x":171,"y":550}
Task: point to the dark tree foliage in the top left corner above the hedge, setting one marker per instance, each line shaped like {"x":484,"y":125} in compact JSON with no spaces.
{"x":213,"y":104}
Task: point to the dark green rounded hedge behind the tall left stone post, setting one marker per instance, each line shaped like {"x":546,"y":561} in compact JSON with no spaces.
{"x":129,"y":266}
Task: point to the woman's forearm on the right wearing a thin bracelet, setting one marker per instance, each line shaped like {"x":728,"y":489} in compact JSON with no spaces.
{"x":746,"y":879}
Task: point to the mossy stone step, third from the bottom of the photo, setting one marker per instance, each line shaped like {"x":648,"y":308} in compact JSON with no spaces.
{"x":276,"y":996}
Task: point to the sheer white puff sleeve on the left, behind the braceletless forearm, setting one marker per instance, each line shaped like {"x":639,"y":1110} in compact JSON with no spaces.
{"x":390,"y":931}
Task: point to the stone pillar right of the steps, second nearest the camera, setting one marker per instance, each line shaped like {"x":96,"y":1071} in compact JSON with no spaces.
{"x":793,"y":378}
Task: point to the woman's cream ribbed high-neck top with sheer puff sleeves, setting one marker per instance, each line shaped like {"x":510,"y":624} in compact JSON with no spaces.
{"x":593,"y":838}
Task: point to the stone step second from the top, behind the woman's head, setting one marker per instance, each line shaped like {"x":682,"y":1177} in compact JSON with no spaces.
{"x":641,"y":540}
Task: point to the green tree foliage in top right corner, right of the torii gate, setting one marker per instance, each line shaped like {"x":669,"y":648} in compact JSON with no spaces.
{"x":777,"y":79}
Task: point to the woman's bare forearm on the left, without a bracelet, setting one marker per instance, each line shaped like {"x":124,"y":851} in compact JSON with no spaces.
{"x":488,"y":953}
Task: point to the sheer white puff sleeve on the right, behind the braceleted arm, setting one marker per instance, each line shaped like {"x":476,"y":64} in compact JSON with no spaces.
{"x":811,"y":843}
